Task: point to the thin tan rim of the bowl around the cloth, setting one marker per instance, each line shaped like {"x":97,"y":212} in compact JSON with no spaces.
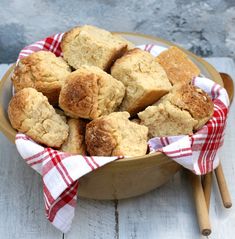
{"x":8,"y":131}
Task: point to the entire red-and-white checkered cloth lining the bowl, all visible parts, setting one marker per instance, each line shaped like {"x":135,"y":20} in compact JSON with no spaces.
{"x":61,"y":171}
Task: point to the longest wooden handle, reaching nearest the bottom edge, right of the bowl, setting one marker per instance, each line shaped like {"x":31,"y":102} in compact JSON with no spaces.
{"x":201,"y":207}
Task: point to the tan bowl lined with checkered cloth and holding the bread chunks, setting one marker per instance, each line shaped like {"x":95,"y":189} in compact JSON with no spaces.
{"x":126,"y":177}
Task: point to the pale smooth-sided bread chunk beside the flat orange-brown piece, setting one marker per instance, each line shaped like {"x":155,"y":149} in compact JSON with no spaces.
{"x":144,"y":79}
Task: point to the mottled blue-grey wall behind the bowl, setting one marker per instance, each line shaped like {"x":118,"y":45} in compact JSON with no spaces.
{"x":207,"y":28}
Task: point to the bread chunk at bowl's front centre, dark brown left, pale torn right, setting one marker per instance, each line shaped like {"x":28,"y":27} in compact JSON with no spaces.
{"x":114,"y":135}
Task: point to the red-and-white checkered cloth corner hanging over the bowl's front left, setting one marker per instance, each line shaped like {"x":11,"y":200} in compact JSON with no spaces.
{"x":60,"y":173}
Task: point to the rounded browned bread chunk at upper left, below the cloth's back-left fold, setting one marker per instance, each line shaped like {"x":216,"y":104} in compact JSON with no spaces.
{"x":43,"y":71}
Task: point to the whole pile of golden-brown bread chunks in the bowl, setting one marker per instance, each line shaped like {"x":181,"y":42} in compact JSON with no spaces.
{"x":105,"y":97}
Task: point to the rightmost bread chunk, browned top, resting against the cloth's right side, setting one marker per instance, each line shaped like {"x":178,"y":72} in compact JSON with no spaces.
{"x":185,"y":109}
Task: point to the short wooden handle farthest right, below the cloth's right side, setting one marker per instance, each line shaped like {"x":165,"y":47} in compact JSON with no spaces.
{"x":225,"y":195}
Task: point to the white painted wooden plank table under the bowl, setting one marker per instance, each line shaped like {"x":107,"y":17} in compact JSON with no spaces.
{"x":167,"y":212}
